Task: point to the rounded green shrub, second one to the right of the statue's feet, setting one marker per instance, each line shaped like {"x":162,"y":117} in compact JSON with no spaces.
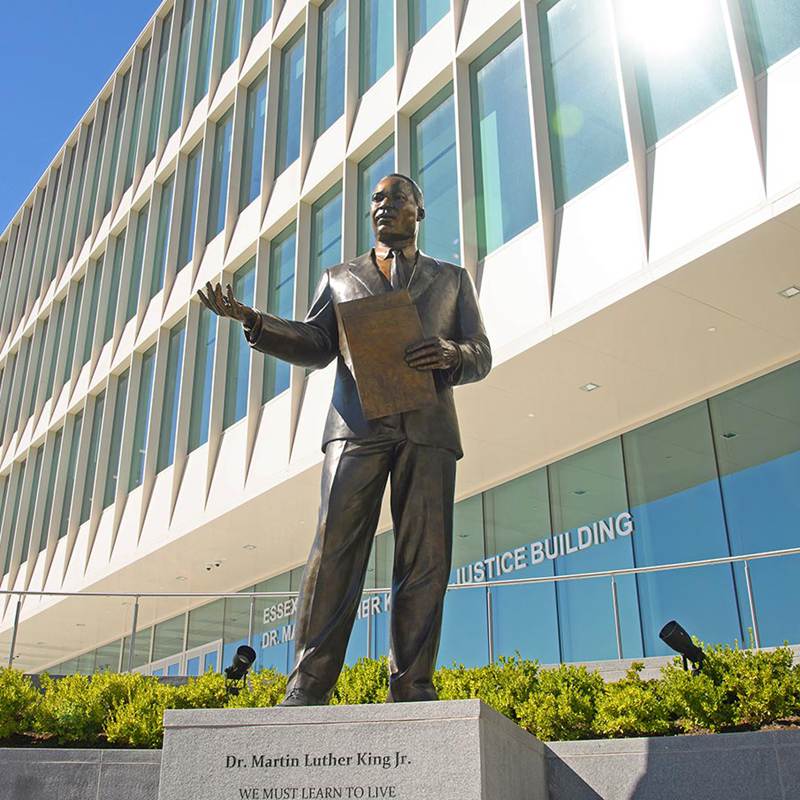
{"x":564,"y":704}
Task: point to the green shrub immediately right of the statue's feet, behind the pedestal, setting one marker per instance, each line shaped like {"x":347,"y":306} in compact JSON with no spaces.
{"x":504,"y":685}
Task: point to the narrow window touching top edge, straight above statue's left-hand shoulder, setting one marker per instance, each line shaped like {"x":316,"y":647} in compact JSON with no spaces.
{"x":331,"y":64}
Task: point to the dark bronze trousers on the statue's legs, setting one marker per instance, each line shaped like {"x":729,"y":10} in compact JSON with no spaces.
{"x":354,"y":477}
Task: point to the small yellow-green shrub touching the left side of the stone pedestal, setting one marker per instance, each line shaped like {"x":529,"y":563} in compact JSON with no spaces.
{"x":139,"y":720}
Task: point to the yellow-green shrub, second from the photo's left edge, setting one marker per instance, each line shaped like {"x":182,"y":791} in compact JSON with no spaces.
{"x":74,"y":709}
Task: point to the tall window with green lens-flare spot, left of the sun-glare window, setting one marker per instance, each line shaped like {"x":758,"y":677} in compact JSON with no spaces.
{"x":587,"y":140}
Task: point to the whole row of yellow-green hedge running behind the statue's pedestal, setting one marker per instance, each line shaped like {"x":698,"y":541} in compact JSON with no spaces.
{"x":736,"y":690}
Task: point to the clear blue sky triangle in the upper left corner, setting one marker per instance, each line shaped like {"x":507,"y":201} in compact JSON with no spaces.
{"x":55,"y":56}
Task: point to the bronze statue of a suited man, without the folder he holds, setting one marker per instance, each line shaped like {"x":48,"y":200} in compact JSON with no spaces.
{"x":416,"y":450}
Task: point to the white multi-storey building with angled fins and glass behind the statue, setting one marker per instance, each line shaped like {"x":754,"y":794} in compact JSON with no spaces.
{"x":621,"y":179}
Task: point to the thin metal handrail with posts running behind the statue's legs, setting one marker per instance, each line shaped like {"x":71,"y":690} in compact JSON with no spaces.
{"x":613,"y":574}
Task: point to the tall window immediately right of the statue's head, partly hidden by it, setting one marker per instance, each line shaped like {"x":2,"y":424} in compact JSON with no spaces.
{"x":433,"y":160}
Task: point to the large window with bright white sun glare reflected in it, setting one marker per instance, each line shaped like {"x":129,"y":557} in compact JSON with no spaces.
{"x":681,"y":59}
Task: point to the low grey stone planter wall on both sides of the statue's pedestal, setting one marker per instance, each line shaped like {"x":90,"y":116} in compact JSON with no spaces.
{"x":733,"y":766}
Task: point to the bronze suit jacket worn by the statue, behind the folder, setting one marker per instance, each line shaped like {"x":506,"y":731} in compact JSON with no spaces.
{"x":447,"y":303}
